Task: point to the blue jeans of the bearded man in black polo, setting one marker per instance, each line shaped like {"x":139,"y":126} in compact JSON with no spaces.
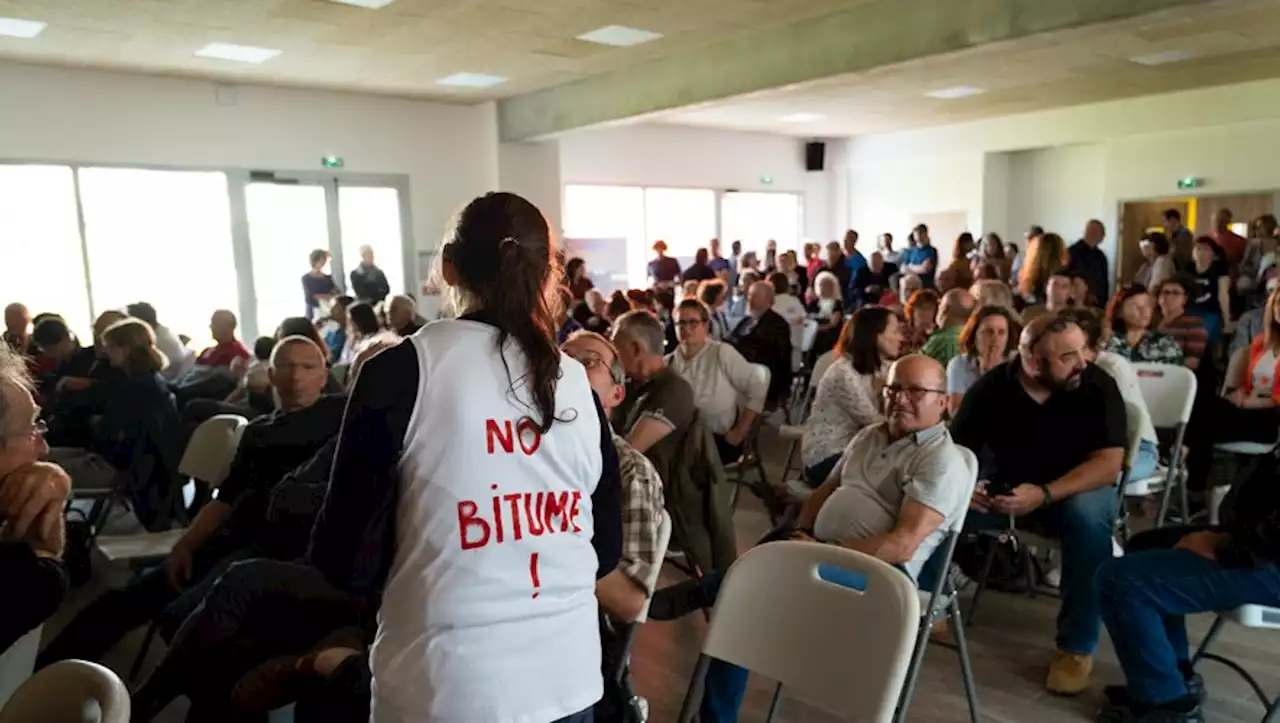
{"x":1086,"y":525}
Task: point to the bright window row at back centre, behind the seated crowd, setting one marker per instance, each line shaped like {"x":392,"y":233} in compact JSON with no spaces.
{"x":614,"y":227}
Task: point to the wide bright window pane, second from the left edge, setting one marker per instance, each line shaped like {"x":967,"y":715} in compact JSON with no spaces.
{"x":163,"y":237}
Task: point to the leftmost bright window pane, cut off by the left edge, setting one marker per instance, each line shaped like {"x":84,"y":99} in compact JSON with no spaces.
{"x":42,"y":245}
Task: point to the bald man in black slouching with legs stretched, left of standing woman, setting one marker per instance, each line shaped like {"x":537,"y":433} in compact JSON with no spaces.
{"x":232,"y":528}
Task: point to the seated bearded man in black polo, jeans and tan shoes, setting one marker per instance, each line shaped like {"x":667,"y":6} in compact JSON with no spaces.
{"x":1050,"y":432}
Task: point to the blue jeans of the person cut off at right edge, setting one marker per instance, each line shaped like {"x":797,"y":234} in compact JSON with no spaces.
{"x":1146,"y":596}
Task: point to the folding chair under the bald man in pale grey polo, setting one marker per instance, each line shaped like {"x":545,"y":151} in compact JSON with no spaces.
{"x":944,"y":603}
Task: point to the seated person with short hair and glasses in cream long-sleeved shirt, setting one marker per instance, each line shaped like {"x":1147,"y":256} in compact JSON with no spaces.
{"x":720,"y":377}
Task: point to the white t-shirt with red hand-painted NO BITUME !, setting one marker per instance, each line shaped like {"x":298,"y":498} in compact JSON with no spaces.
{"x":490,"y":615}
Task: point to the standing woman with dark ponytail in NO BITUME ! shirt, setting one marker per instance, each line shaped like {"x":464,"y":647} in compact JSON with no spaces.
{"x":476,"y":493}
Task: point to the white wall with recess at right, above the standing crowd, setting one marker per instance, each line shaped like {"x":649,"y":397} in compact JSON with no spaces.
{"x":1060,"y":168}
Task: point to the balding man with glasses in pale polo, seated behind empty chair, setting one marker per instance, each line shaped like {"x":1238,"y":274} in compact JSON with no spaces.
{"x":900,"y":486}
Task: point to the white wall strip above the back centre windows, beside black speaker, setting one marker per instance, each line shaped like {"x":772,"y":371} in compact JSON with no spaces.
{"x":698,"y":158}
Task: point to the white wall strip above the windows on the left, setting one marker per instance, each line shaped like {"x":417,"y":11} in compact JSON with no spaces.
{"x":56,"y":115}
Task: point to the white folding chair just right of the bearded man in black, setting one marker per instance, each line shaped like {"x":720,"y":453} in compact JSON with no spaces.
{"x":1169,"y":393}
